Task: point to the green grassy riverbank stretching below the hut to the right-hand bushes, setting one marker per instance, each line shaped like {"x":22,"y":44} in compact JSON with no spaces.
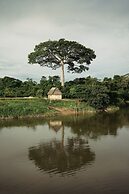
{"x":16,"y":108}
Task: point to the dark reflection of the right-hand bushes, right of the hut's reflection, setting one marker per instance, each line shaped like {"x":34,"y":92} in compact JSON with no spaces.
{"x":97,"y":125}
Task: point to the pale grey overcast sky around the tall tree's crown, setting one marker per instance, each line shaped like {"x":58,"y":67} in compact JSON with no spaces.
{"x":102,"y":25}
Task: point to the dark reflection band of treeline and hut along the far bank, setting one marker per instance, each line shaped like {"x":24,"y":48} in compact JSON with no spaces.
{"x":92,"y":126}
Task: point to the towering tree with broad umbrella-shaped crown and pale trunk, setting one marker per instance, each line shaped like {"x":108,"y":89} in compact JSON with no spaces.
{"x":55,"y":54}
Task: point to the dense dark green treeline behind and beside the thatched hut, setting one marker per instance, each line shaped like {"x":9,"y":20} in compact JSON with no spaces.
{"x":97,"y":93}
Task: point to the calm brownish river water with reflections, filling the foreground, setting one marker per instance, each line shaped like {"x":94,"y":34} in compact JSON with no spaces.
{"x":65,"y":155}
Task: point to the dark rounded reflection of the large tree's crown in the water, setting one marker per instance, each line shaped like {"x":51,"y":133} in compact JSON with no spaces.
{"x":55,"y":158}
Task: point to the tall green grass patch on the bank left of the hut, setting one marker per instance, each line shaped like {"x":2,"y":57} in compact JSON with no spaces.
{"x":24,"y":107}
